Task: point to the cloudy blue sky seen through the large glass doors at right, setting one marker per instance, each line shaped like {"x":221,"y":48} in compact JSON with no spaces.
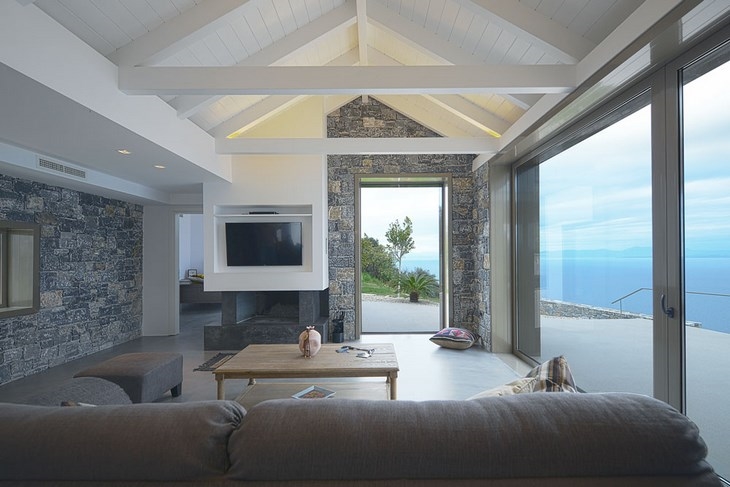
{"x":597,"y":194}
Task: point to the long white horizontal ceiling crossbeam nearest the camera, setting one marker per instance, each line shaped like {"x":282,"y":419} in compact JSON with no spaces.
{"x":326,"y":80}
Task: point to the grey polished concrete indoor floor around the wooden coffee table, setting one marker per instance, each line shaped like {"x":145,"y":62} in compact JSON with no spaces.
{"x":426,"y":370}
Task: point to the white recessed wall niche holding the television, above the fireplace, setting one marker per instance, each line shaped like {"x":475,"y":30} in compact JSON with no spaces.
{"x":255,"y":239}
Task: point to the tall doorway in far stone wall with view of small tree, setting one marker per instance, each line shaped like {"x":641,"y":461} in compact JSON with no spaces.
{"x":402,"y":260}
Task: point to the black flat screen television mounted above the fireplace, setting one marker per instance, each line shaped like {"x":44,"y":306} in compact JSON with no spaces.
{"x":263,"y":244}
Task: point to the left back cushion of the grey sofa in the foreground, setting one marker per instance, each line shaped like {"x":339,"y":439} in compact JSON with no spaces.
{"x":180,"y":441}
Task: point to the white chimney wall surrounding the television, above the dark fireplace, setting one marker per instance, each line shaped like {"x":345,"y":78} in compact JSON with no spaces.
{"x":269,"y":181}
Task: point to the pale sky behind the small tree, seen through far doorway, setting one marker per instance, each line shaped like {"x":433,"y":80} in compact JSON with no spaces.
{"x":382,"y":206}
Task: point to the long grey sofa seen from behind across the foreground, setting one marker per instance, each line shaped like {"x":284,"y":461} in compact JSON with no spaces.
{"x":539,"y":439}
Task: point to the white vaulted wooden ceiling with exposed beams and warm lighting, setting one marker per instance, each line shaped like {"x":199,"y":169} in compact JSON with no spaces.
{"x":187,"y":83}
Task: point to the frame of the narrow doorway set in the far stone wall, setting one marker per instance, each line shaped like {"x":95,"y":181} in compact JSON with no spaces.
{"x":408,"y":180}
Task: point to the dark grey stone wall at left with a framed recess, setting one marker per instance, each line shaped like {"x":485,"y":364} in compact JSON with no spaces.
{"x":90,"y":277}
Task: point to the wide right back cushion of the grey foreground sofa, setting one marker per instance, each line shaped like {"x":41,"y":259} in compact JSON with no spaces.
{"x":523,"y":435}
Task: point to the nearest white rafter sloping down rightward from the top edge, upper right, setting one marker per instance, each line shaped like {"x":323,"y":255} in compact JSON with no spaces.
{"x":545,"y":33}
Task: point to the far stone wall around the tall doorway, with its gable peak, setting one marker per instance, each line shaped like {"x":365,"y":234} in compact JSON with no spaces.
{"x":376,"y":120}
